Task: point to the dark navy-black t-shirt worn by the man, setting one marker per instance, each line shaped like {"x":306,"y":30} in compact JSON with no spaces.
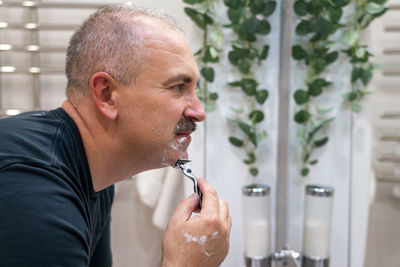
{"x":49,"y":212}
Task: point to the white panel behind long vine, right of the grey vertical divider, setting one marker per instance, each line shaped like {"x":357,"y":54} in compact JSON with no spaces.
{"x":333,"y":168}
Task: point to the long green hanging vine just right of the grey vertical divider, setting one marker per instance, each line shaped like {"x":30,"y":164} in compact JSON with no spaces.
{"x":319,"y":20}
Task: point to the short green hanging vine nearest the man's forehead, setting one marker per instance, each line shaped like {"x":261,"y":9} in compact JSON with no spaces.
{"x":203,"y":14}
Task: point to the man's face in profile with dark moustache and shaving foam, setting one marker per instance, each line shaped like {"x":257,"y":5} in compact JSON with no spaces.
{"x":158,"y":112}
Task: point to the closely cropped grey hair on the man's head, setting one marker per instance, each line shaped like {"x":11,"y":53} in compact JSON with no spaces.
{"x":107,"y":42}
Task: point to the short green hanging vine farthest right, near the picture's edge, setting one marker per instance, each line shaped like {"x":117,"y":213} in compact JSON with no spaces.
{"x":365,"y":11}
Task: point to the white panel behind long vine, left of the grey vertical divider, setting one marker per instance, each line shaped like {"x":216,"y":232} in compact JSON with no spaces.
{"x":225,"y":167}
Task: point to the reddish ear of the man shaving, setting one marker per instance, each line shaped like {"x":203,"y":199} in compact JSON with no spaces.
{"x":104,"y":94}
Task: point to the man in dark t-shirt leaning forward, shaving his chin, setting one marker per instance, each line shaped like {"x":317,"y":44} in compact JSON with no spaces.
{"x":131,"y":106}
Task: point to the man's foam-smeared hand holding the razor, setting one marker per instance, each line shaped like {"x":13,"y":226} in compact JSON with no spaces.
{"x":200,"y":240}
